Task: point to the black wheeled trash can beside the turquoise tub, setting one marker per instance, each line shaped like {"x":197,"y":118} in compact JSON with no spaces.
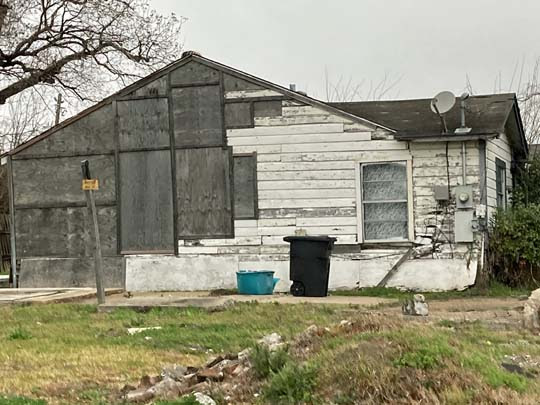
{"x":310,"y":264}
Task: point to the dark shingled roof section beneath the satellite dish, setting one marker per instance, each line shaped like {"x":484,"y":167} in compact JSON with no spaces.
{"x":484,"y":114}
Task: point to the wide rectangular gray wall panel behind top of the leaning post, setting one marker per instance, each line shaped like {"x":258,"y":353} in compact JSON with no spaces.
{"x":58,"y":180}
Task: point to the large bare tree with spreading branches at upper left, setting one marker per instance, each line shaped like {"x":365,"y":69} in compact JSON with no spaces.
{"x":70,"y":43}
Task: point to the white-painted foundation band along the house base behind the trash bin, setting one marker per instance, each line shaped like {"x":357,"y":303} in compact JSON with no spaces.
{"x":207,"y":272}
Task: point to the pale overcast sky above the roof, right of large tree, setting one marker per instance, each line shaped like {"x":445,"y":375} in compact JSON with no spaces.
{"x":428,"y":45}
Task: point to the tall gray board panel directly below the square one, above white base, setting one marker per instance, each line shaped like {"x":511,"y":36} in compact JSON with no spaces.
{"x":146,"y":201}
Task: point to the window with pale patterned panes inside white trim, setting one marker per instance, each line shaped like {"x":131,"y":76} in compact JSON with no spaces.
{"x":384,"y":200}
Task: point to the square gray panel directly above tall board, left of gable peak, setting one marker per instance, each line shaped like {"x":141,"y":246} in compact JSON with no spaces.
{"x":143,"y":123}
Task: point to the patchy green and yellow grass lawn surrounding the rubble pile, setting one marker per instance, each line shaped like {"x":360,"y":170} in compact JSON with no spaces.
{"x":69,"y":354}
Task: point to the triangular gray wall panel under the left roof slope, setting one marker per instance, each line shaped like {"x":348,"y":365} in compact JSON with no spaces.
{"x":90,"y":134}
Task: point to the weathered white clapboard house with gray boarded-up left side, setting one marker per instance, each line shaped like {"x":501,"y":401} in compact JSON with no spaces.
{"x":204,"y":169}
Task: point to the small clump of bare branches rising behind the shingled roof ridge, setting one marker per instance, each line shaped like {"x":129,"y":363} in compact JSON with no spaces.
{"x":348,"y":90}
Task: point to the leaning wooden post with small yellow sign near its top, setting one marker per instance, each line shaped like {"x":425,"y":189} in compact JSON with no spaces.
{"x":89,"y":185}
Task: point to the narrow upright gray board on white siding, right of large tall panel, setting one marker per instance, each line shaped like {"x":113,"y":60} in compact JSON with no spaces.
{"x":245,"y":186}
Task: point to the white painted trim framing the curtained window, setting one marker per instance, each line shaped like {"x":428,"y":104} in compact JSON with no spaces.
{"x":398,"y":157}
